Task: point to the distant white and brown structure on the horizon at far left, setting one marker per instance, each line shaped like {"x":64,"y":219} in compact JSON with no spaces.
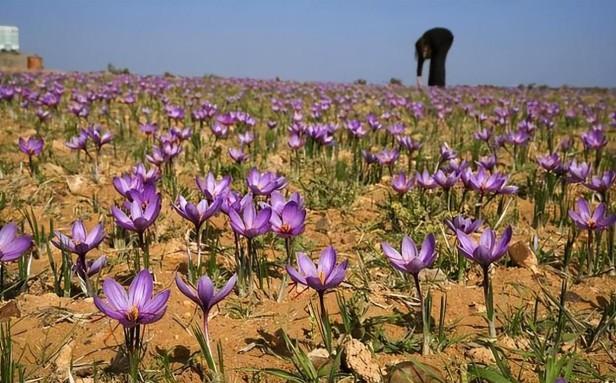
{"x":10,"y":57}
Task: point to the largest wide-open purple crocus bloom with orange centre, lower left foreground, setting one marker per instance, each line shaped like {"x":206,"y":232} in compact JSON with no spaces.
{"x":138,"y":307}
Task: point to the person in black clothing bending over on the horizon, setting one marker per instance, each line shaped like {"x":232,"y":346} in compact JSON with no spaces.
{"x":438,"y":41}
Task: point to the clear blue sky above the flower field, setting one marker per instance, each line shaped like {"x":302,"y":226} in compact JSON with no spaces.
{"x":496,"y":42}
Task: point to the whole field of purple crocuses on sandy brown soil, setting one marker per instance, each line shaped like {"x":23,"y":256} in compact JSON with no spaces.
{"x":170,"y":229}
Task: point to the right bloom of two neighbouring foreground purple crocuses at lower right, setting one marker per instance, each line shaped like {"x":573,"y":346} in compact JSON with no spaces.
{"x":488,"y":250}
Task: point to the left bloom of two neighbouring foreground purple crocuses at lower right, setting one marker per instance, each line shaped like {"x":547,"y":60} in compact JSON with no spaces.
{"x":409,"y":260}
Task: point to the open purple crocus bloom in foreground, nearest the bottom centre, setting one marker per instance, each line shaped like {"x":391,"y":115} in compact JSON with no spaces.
{"x":324,"y":276}
